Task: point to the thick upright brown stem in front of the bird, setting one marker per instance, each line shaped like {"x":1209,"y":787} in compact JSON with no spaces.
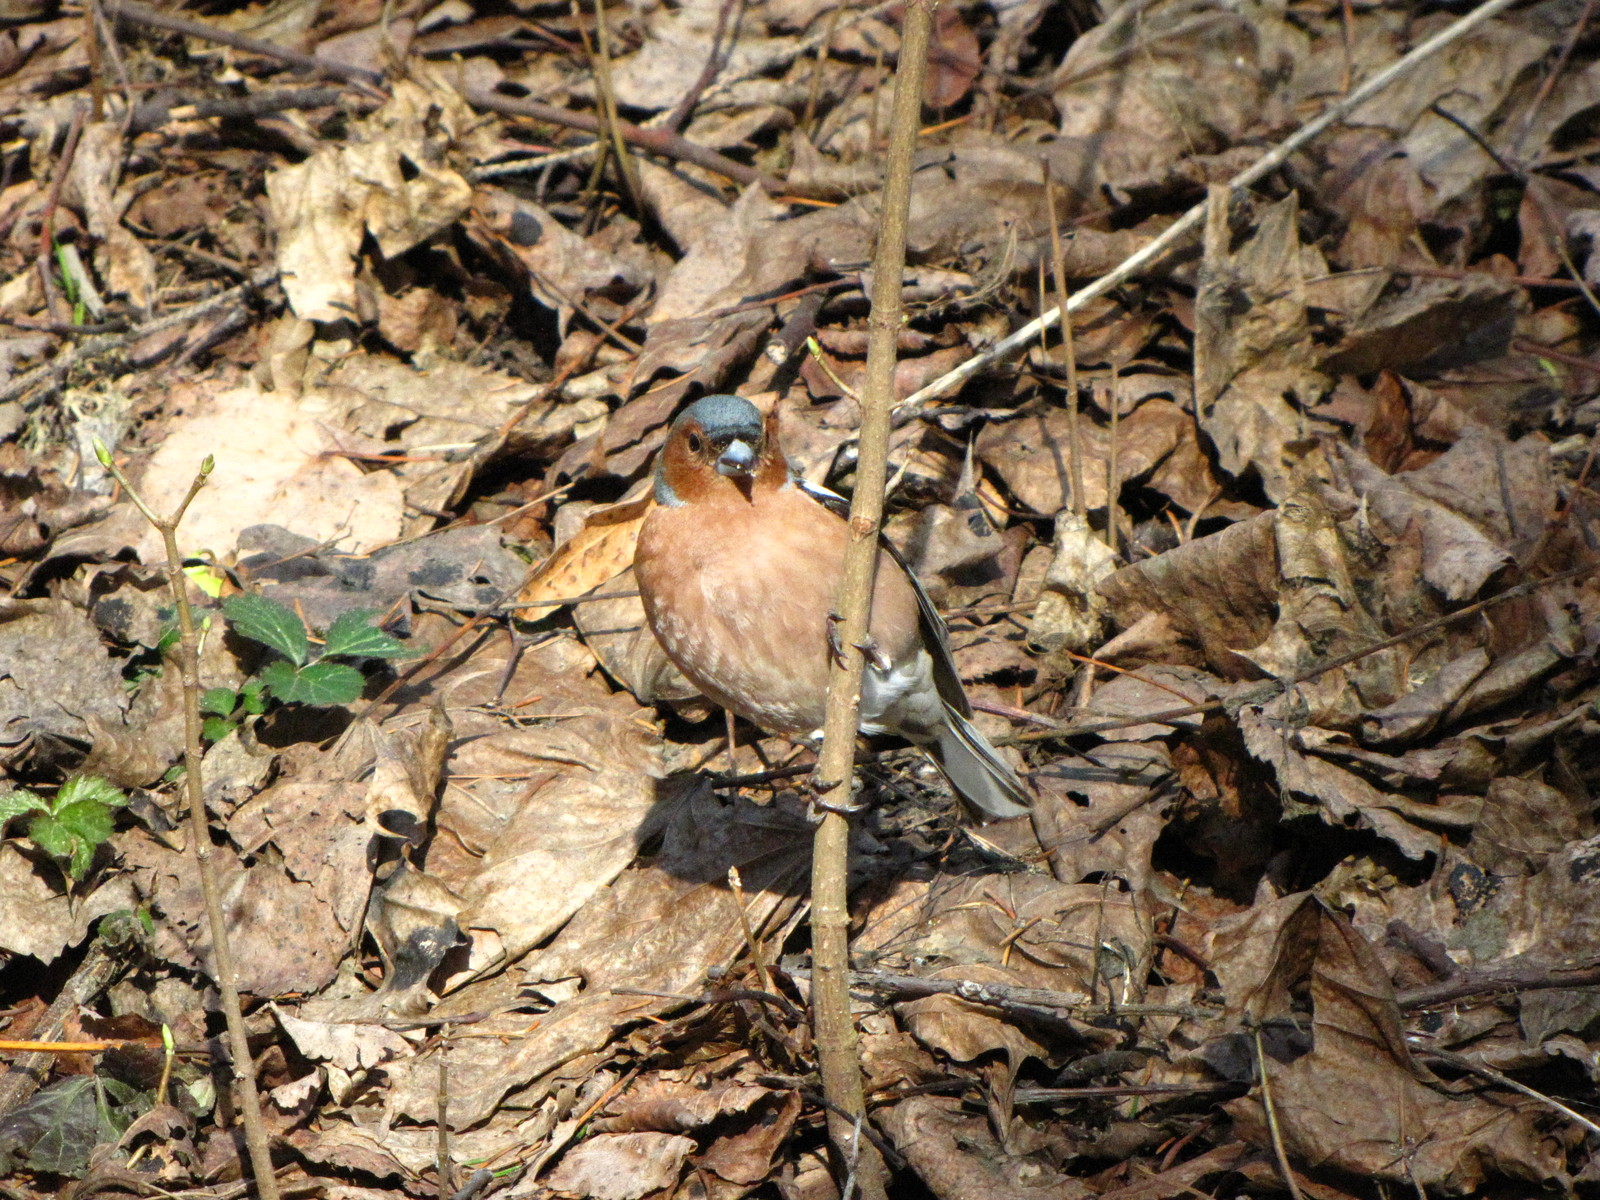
{"x":836,"y":1033}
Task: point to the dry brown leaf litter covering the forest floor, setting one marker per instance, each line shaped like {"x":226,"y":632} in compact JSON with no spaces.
{"x":1290,"y":625}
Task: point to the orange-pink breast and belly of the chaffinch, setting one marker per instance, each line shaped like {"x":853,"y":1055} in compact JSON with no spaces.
{"x":738,"y":593}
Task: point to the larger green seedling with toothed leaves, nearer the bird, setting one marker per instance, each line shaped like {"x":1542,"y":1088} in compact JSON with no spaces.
{"x":298,"y":676}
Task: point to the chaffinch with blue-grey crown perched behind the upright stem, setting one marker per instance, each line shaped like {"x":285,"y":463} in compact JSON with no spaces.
{"x":738,"y":566}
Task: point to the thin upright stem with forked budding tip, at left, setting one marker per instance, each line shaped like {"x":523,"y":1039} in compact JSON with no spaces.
{"x":188,"y":655}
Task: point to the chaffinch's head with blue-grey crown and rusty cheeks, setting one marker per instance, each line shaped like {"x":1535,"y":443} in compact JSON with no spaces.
{"x":719,"y":446}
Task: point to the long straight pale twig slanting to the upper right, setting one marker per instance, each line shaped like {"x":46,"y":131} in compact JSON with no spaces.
{"x":1153,"y":252}
